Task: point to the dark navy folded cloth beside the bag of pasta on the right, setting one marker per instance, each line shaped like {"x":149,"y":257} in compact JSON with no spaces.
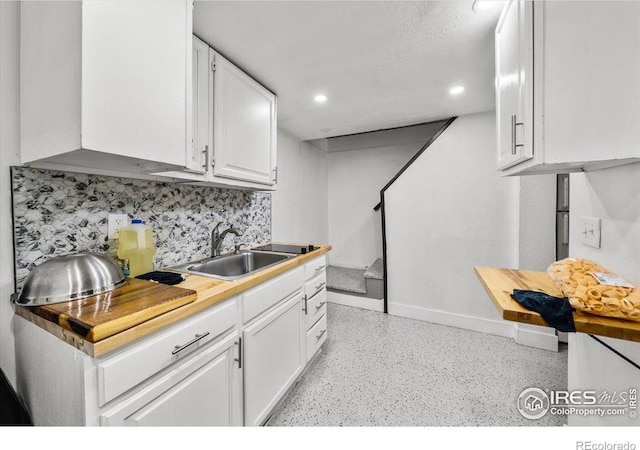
{"x":556,"y":311}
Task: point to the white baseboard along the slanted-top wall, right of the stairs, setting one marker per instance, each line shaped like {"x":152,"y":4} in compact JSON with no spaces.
{"x":522,"y":335}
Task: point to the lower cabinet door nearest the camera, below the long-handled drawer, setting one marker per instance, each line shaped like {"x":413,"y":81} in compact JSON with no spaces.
{"x":203,"y":391}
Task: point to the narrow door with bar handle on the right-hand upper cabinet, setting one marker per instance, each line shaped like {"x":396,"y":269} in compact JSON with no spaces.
{"x":514,"y":83}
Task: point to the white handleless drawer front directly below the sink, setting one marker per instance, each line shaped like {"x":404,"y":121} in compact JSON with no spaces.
{"x":257,"y":300}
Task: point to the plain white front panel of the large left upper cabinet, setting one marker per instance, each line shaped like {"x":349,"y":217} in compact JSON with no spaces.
{"x":136,"y":81}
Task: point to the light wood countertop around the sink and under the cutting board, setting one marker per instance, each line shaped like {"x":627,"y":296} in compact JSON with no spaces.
{"x":211,"y":291}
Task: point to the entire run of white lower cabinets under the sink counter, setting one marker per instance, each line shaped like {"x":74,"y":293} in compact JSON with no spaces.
{"x":229,"y":364}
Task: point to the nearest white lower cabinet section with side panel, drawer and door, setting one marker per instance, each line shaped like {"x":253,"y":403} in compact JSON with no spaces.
{"x":184,"y":374}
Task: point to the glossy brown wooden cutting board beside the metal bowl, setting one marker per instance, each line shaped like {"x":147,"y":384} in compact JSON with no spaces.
{"x":100,"y":316}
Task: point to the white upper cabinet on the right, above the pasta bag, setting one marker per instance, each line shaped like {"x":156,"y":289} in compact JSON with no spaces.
{"x":567,"y":91}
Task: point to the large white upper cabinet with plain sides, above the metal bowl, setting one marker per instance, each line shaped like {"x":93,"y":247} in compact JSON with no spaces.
{"x":107,"y":84}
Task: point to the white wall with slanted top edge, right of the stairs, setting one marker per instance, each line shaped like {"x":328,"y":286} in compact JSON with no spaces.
{"x":449,"y":212}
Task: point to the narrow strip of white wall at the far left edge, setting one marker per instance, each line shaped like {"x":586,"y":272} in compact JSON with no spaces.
{"x":9,"y":148}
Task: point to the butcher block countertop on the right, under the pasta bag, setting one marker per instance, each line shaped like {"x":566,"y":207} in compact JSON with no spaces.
{"x":500,"y":283}
